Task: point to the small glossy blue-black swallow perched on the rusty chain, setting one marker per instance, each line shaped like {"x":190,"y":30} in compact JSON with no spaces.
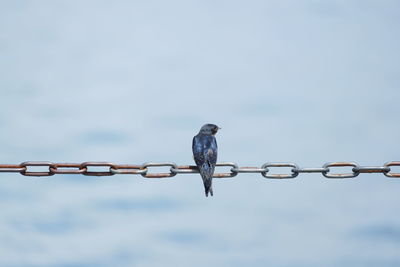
{"x":205,"y":152}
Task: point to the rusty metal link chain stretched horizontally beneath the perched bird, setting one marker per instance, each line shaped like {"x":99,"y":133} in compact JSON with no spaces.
{"x":110,"y":169}
